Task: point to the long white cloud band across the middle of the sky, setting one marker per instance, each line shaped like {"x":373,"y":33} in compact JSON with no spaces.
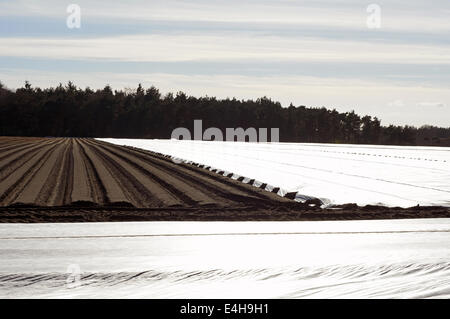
{"x":221,"y":48}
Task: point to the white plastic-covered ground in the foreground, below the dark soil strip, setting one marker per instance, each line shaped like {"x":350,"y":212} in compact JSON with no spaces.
{"x":326,"y":259}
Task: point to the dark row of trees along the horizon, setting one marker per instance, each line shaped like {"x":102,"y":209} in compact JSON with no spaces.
{"x":70,"y":111}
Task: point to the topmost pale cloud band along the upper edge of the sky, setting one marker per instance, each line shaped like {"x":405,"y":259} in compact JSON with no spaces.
{"x":406,"y":16}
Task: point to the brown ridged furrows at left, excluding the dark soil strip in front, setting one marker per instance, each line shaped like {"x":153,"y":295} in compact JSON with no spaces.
{"x":85,"y":172}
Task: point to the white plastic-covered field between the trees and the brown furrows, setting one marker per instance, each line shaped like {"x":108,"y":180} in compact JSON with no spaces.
{"x":337,"y":174}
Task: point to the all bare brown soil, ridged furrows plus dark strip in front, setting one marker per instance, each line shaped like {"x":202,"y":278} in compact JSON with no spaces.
{"x":80,"y":180}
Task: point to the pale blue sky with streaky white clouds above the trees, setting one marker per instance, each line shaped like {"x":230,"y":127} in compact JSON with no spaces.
{"x":389,"y":59}
